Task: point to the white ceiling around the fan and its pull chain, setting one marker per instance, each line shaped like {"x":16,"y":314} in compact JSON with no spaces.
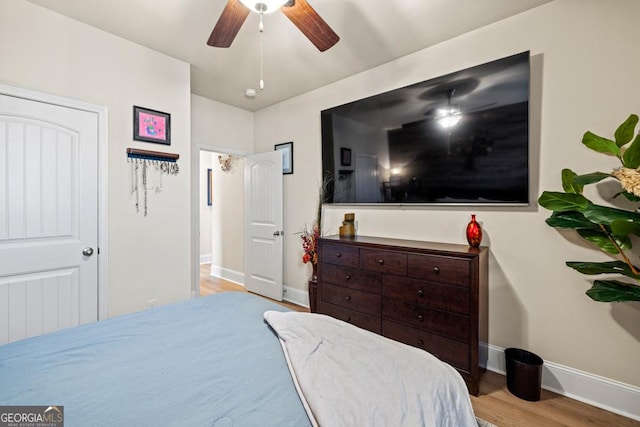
{"x":372,"y":32}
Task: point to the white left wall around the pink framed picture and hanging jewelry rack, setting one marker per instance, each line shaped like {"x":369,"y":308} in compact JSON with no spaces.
{"x":148,"y":257}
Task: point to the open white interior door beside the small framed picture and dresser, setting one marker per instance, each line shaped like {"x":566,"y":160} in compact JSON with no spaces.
{"x":263,"y":224}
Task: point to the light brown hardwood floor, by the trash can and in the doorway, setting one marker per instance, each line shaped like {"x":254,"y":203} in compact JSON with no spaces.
{"x":495,"y":403}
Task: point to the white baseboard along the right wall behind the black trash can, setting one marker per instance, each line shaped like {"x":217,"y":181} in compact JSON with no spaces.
{"x":595,"y":390}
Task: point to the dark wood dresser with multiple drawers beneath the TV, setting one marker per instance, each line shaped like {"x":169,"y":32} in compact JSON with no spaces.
{"x":429,"y":295}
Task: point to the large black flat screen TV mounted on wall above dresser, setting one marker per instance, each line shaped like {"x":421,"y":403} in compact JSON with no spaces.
{"x":458,"y":139}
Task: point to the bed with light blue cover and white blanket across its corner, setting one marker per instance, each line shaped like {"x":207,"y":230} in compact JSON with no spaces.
{"x":230,"y":359}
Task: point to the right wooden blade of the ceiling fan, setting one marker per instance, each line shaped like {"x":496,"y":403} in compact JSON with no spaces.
{"x":311,"y":24}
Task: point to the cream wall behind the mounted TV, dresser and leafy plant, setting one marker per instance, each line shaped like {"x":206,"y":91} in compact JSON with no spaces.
{"x":585,"y":77}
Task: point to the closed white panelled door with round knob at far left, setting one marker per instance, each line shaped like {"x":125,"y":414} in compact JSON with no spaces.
{"x":48,"y":217}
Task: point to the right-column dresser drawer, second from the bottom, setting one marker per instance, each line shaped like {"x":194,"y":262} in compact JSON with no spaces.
{"x":439,"y":322}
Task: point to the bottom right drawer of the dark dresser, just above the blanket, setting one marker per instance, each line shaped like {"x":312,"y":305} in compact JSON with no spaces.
{"x":453,"y":352}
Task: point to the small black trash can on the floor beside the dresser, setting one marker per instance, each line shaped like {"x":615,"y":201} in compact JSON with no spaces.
{"x":524,"y":373}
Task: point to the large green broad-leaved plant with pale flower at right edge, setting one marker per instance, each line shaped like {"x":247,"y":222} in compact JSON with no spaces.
{"x":608,"y":228}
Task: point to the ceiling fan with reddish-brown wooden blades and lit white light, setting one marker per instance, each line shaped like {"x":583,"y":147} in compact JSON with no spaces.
{"x":299,"y":12}
